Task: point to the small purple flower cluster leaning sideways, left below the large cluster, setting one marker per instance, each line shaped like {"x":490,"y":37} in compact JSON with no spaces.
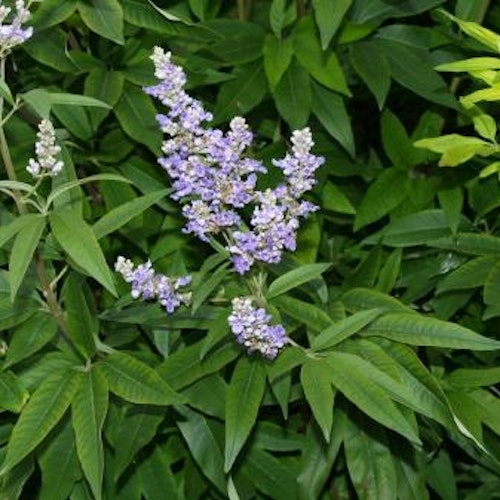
{"x":148,"y":285}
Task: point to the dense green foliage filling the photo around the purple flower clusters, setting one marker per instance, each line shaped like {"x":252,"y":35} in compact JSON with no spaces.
{"x":393,"y":294}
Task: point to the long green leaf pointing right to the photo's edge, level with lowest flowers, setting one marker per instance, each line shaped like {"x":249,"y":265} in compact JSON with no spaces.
{"x":413,"y":329}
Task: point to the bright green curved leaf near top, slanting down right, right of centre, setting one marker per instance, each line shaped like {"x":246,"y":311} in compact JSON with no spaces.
{"x":322,"y":66}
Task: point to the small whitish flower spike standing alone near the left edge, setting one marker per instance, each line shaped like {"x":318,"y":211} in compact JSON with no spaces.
{"x":46,"y":150}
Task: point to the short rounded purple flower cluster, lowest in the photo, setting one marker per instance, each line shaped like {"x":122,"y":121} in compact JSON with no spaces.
{"x":252,"y":329}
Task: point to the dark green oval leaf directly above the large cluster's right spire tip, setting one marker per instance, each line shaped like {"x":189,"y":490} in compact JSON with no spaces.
{"x":293,"y":97}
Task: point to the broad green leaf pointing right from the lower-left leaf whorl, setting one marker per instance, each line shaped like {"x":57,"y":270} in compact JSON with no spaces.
{"x":136,"y":382}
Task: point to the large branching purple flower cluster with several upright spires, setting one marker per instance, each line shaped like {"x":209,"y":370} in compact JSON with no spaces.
{"x":214,"y":180}
